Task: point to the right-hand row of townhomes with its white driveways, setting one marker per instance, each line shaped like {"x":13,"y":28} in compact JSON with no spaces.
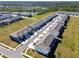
{"x":48,"y":38}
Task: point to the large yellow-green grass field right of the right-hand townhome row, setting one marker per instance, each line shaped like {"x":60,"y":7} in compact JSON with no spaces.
{"x":69,"y":47}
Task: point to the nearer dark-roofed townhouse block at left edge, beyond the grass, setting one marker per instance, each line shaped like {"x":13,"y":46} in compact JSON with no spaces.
{"x":8,"y":19}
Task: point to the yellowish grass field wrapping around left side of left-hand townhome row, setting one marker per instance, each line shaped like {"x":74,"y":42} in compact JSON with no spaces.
{"x":6,"y":30}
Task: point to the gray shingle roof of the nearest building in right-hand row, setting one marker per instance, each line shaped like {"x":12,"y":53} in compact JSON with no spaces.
{"x":45,"y":43}
